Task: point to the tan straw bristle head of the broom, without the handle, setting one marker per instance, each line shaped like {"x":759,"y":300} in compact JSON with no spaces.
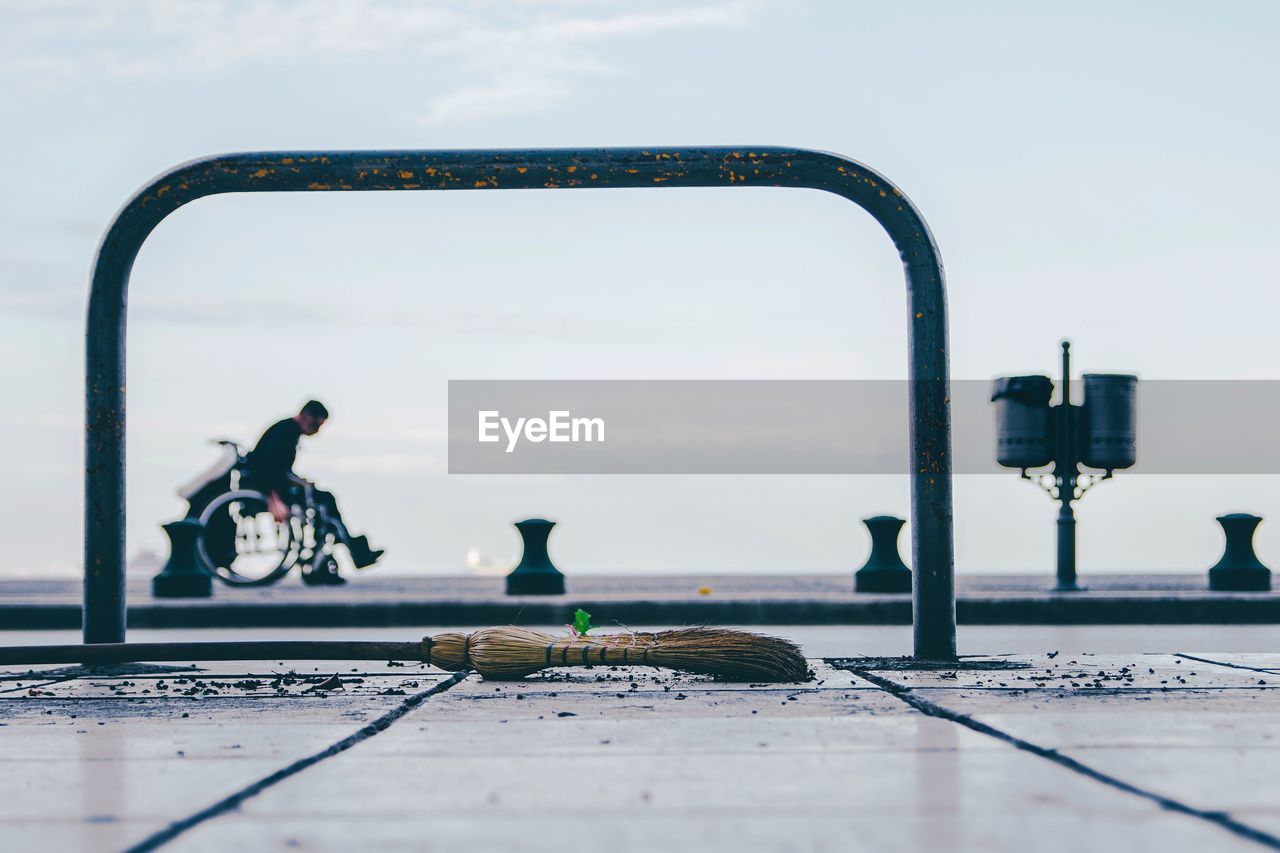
{"x":725,"y":654}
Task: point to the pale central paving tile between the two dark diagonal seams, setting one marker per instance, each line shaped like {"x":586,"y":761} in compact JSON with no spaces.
{"x":693,"y":778}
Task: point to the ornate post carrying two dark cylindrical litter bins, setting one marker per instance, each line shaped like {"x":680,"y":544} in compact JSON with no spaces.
{"x":1100,"y":434}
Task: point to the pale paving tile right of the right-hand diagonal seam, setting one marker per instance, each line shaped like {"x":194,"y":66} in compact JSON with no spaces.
{"x":1213,"y":742}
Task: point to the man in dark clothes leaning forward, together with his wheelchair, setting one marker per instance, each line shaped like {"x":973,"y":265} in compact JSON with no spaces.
{"x":268,"y":469}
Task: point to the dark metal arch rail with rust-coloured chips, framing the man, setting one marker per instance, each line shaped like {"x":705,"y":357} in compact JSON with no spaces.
{"x":524,"y":170}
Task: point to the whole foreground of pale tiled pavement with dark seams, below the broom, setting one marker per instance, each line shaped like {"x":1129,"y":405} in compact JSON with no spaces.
{"x":1162,"y":752}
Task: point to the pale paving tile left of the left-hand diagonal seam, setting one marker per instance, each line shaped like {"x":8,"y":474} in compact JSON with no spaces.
{"x":103,"y":774}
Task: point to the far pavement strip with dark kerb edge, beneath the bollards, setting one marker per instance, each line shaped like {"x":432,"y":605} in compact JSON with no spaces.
{"x":637,"y":600}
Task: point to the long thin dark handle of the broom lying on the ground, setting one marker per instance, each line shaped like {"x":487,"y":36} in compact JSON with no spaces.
{"x":212,"y":651}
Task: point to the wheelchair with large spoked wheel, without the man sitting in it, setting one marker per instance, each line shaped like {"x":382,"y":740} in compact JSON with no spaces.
{"x":240,"y":542}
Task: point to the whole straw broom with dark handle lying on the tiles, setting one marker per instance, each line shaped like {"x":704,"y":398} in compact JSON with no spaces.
{"x":499,"y":654}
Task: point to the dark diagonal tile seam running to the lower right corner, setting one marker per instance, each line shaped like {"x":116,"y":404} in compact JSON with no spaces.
{"x":1218,"y":819}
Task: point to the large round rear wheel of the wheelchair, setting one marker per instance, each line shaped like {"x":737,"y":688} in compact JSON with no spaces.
{"x":243,"y":545}
